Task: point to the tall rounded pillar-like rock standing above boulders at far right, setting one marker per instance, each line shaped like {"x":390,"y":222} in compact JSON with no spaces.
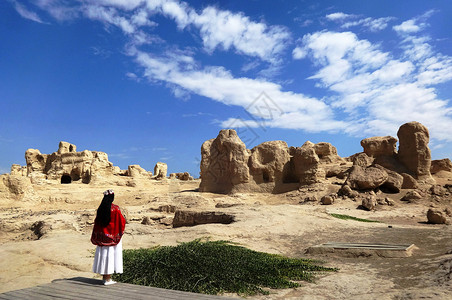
{"x":414,"y":152}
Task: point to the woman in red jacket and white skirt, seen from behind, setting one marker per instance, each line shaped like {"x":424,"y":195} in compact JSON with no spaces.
{"x":107,"y":232}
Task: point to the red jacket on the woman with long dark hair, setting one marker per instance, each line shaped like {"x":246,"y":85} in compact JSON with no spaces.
{"x":112,"y":233}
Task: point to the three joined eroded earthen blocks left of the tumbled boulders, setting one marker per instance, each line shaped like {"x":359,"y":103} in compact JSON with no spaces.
{"x":227,"y":166}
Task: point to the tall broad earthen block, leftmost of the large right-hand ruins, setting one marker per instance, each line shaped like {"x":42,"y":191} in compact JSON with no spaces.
{"x":224,"y":163}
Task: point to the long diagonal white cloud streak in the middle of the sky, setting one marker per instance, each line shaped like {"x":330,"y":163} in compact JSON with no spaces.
{"x":281,"y":109}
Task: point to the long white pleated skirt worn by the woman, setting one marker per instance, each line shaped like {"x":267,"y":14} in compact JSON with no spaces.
{"x":108,"y":259}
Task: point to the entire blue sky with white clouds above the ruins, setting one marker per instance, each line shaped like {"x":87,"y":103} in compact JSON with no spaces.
{"x":151,"y":80}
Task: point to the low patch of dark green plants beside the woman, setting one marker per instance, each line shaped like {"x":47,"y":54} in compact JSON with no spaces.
{"x":213,"y":267}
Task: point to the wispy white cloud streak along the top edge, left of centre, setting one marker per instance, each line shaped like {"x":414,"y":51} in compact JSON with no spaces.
{"x":218,"y":29}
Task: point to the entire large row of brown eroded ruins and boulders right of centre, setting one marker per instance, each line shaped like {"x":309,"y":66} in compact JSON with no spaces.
{"x":227,"y":166}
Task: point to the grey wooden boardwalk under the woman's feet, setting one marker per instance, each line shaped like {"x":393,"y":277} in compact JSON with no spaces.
{"x":90,"y":289}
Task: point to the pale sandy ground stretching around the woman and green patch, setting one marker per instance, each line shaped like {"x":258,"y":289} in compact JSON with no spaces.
{"x":264,"y":222}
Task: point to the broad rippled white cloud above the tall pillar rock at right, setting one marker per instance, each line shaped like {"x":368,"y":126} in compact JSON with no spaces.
{"x":378,"y":91}
